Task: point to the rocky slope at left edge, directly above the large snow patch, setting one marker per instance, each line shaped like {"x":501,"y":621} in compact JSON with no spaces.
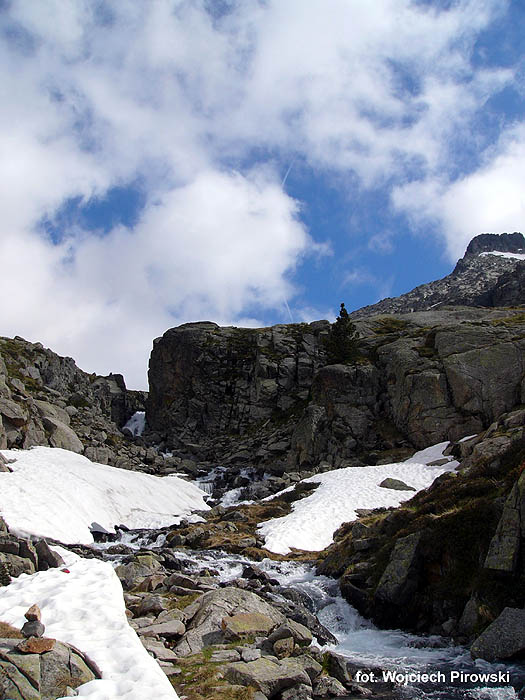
{"x":46,"y":399}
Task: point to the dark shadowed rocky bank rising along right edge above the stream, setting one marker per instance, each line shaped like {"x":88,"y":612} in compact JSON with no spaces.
{"x":453,"y":557}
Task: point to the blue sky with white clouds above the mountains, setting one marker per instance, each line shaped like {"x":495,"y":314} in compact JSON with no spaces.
{"x":248,"y":162}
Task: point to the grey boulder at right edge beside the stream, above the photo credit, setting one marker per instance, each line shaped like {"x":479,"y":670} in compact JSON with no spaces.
{"x":503,"y":639}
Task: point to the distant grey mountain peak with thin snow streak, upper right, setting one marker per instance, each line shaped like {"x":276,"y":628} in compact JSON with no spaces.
{"x":479,"y":279}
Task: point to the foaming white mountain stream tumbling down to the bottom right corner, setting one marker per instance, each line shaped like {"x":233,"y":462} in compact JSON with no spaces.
{"x":380,"y":654}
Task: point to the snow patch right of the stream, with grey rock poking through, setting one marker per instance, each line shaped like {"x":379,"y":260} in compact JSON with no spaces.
{"x":314,"y":519}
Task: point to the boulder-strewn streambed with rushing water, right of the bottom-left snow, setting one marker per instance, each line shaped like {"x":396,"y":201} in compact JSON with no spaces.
{"x":224,"y":626}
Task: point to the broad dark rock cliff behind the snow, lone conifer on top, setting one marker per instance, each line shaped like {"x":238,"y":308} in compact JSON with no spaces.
{"x":265,"y":397}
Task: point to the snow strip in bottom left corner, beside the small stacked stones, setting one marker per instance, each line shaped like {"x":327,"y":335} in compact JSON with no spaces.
{"x":85,"y":607}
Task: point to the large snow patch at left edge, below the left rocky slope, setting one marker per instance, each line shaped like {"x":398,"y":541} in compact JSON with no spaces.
{"x":57,"y":493}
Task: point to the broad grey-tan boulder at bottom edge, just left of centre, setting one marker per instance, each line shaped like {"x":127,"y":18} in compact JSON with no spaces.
{"x":270,"y":677}
